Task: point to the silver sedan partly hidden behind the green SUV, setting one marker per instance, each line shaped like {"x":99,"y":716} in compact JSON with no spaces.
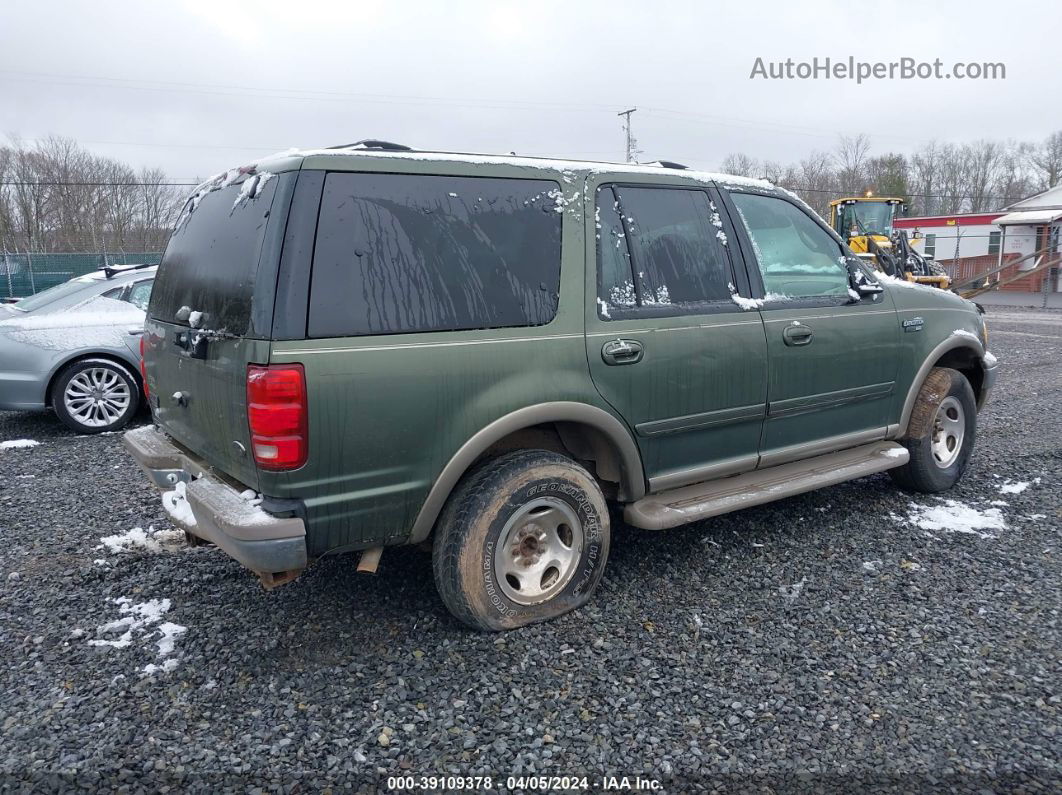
{"x":75,"y":349}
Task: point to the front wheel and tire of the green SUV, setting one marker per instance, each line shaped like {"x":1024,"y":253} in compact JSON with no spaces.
{"x":941,"y":434}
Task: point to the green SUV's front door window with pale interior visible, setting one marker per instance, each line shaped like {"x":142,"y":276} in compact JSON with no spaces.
{"x":797,"y":257}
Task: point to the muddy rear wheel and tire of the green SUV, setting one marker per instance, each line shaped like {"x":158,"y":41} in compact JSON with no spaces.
{"x":524,"y":539}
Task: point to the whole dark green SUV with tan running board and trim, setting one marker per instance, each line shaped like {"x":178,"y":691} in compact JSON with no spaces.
{"x":365,"y":347}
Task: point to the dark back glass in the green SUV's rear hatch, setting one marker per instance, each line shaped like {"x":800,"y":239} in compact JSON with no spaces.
{"x":212,"y":261}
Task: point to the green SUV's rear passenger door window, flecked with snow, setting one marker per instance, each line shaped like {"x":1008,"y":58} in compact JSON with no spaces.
{"x":658,"y":248}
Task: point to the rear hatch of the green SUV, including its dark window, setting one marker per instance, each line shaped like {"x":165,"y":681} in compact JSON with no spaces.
{"x":211,"y":317}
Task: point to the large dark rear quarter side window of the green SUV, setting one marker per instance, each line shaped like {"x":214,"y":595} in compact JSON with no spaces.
{"x":400,"y":254}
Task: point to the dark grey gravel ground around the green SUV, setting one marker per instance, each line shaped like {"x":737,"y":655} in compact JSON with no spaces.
{"x":821,"y":642}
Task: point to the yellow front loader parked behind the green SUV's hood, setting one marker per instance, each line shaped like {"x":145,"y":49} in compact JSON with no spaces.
{"x":866,"y":224}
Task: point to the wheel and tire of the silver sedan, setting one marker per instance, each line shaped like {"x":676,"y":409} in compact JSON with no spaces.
{"x":96,"y":395}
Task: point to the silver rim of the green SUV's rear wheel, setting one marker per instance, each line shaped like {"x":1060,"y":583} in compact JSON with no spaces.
{"x":539,"y":551}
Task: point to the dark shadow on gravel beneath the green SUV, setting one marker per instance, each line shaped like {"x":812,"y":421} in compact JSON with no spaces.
{"x":401,"y":599}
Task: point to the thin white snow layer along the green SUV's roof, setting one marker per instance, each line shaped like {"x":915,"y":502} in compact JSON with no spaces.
{"x":540,"y":163}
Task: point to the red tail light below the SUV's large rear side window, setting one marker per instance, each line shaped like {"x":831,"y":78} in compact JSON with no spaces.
{"x":278,"y":416}
